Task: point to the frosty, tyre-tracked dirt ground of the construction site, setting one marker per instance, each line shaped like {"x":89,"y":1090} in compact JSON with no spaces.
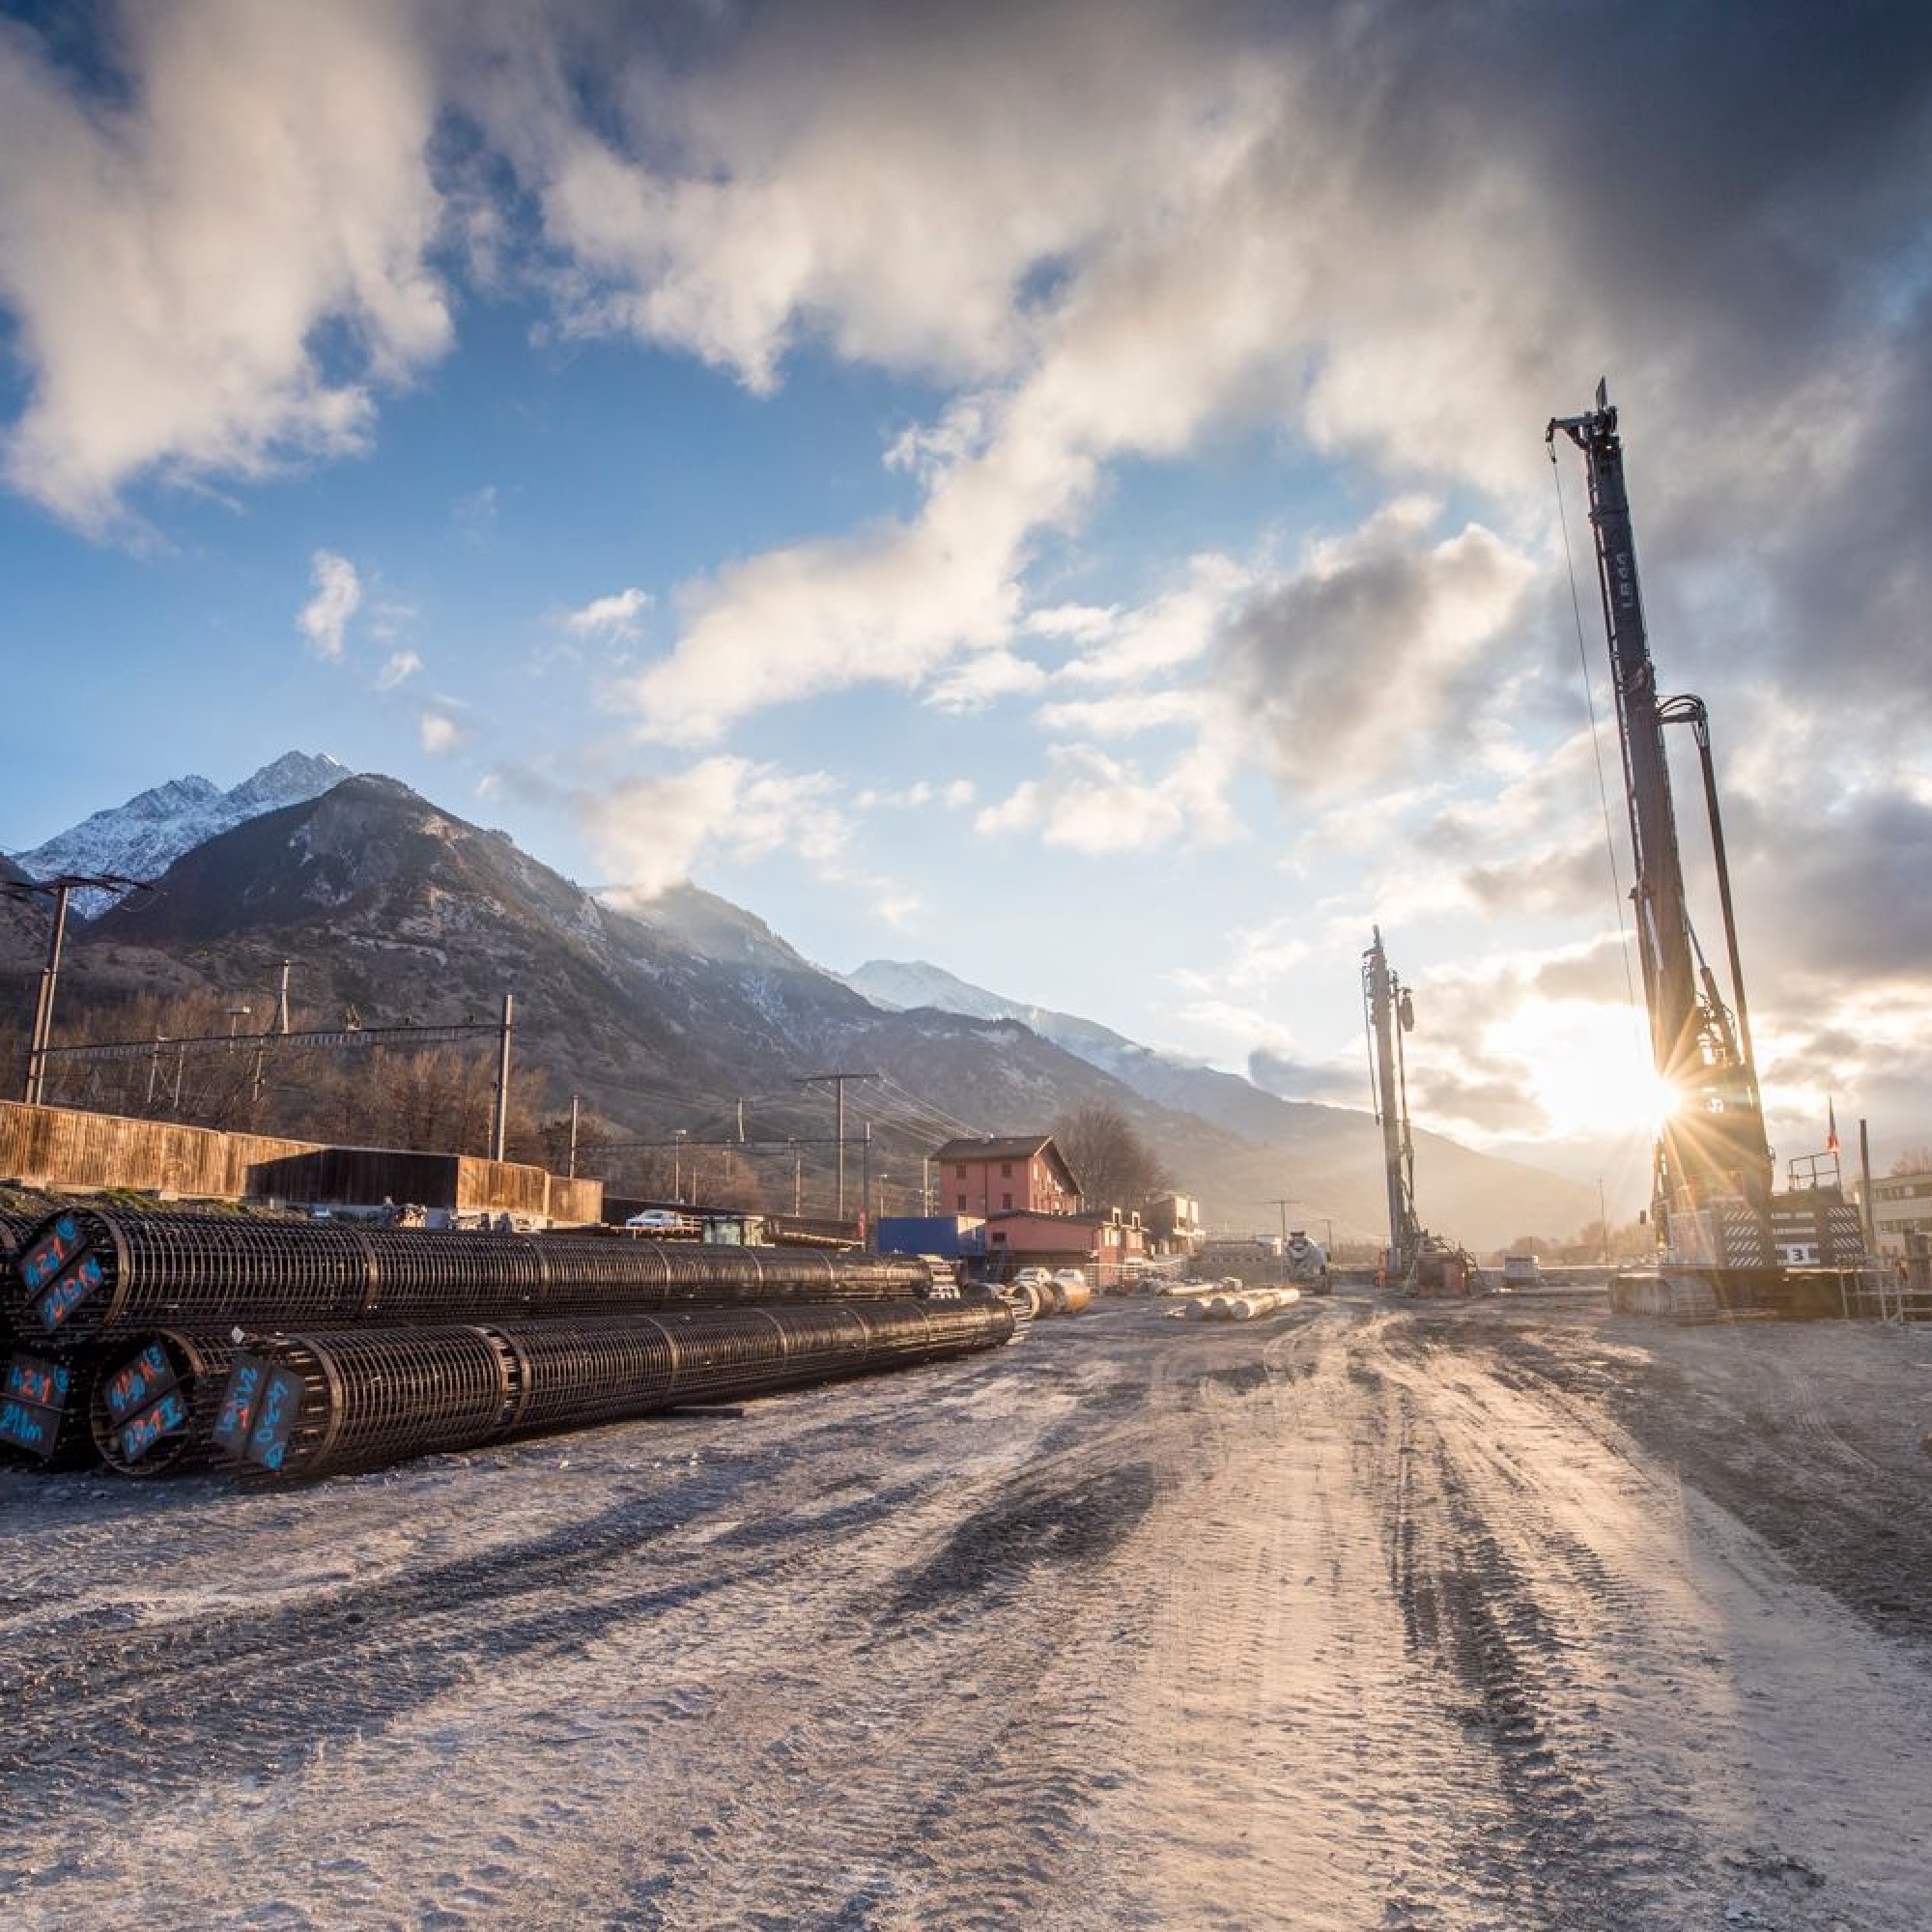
{"x":1510,"y":1614}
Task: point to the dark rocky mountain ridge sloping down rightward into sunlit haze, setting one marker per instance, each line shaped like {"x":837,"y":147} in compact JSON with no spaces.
{"x":689,"y":1009}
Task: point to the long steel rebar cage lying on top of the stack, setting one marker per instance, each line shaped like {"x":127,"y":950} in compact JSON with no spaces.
{"x":82,"y":1276}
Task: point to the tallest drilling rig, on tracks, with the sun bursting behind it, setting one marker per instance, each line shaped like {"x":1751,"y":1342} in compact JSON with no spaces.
{"x":1724,"y":1236}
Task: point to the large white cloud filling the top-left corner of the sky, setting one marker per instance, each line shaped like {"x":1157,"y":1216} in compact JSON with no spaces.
{"x":175,"y":254}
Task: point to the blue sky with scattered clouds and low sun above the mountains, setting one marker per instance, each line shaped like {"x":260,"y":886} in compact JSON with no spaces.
{"x":1058,"y":492}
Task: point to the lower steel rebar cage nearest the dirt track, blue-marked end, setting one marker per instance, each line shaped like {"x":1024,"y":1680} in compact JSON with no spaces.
{"x":324,"y":1404}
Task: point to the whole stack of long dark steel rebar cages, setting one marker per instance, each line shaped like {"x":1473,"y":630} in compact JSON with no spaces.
{"x":167,"y":1340}
